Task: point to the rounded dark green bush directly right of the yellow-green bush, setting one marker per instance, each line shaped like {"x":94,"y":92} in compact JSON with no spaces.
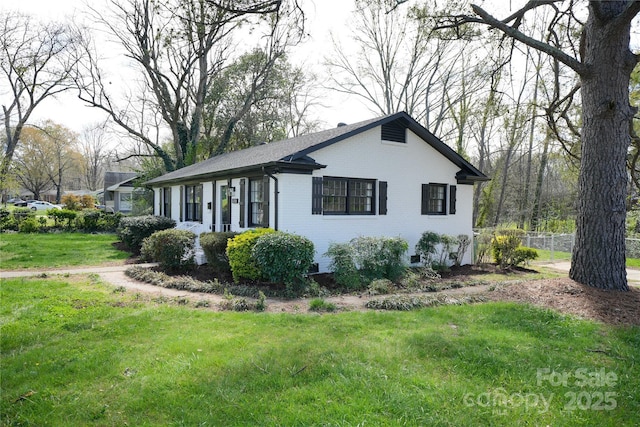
{"x":283,"y":257}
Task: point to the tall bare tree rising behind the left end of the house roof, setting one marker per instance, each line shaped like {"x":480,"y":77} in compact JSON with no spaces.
{"x":179,"y":46}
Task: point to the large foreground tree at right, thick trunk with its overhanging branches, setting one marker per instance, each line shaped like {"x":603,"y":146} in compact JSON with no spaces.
{"x":604,"y":62}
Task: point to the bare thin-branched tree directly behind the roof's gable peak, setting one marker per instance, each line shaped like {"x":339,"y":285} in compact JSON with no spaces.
{"x":399,"y":65}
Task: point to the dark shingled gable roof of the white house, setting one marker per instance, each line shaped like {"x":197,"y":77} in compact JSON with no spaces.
{"x":291,"y":155}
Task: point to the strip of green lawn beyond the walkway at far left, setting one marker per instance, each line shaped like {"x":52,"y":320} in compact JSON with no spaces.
{"x":25,"y":250}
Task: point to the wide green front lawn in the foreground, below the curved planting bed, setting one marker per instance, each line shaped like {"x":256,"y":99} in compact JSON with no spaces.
{"x":74,"y":352}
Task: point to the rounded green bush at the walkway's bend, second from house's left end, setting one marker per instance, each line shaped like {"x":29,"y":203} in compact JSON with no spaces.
{"x":172,"y":249}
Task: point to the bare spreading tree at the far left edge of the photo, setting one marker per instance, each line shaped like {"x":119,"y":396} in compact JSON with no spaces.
{"x":36,"y":61}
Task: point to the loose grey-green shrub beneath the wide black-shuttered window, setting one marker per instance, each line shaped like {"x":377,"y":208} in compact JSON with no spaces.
{"x":380,"y":257}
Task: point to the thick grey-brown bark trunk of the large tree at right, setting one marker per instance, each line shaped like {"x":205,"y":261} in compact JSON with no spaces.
{"x":599,"y":253}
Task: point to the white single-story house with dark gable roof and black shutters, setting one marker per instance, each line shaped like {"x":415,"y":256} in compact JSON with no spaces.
{"x":387,"y":176}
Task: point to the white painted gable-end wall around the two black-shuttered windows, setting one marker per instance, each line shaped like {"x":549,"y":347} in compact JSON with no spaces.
{"x":405,"y":167}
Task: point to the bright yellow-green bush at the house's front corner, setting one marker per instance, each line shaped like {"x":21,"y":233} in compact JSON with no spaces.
{"x":243,"y":266}
